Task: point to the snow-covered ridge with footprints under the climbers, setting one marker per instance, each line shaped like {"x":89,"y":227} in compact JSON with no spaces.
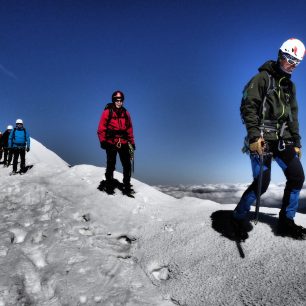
{"x":63,"y":242}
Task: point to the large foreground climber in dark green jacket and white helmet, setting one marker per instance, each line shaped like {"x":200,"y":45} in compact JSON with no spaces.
{"x":270,"y":112}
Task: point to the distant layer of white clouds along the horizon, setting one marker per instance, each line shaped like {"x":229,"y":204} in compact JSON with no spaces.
{"x":230,"y":194}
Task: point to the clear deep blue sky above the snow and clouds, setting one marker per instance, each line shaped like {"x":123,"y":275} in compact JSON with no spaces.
{"x":181,"y":64}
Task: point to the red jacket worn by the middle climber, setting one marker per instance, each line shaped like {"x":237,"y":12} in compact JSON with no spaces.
{"x":118,"y":127}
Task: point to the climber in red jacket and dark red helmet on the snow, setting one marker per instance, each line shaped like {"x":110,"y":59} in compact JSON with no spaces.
{"x":115,"y":132}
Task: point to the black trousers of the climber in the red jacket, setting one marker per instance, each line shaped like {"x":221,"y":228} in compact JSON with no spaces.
{"x":124,"y":154}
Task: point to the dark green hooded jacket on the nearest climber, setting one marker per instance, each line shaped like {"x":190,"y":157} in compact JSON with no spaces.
{"x":280,"y":105}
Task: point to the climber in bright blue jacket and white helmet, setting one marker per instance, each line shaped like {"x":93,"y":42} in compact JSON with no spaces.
{"x":19,"y":142}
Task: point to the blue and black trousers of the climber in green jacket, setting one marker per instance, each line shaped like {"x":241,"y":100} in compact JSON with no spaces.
{"x":293,"y":171}
